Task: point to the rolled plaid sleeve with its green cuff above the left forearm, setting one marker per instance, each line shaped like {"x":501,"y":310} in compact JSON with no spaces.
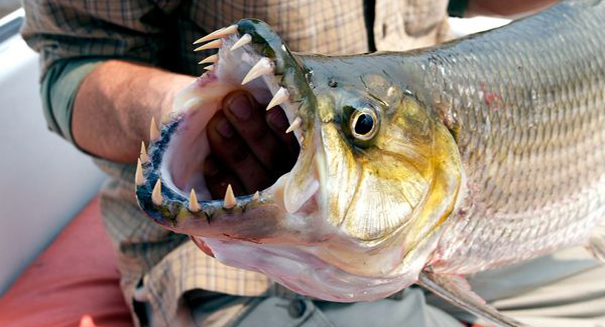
{"x":73,"y":37}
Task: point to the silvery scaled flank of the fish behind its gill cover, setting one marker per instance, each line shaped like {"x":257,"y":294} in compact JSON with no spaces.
{"x":530,"y":103}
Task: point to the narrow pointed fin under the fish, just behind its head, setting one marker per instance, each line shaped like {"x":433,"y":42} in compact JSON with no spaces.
{"x":456,"y":290}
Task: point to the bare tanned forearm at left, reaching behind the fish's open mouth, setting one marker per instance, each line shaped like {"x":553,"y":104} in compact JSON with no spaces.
{"x":114,"y":105}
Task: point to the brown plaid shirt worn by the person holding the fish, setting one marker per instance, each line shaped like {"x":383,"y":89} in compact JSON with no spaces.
{"x":161,"y":32}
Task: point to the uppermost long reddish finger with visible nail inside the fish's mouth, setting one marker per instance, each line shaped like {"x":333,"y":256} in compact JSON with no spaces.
{"x":248,"y":118}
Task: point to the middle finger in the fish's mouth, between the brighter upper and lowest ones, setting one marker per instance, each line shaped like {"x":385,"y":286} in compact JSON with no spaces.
{"x":228,"y":147}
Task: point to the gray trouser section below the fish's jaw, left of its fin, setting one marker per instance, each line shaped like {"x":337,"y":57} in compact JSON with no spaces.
{"x":411,"y":310}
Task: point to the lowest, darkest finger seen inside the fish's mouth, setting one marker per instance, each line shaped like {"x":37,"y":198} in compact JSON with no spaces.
{"x":218,"y":179}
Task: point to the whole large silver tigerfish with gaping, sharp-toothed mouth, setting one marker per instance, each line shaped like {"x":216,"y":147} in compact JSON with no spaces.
{"x":414,"y":167}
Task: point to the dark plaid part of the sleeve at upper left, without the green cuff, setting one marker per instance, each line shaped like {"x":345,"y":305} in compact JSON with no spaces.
{"x":59,"y":30}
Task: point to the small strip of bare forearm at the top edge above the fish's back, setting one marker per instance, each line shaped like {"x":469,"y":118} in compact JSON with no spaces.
{"x":509,"y":8}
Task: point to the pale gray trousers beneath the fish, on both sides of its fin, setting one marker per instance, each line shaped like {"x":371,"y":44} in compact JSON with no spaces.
{"x":566,"y":289}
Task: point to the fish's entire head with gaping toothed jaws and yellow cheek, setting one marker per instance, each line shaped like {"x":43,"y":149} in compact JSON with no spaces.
{"x":359,"y":214}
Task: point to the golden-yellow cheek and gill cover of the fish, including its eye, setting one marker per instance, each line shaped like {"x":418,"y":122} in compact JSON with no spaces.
{"x":393,"y":170}
